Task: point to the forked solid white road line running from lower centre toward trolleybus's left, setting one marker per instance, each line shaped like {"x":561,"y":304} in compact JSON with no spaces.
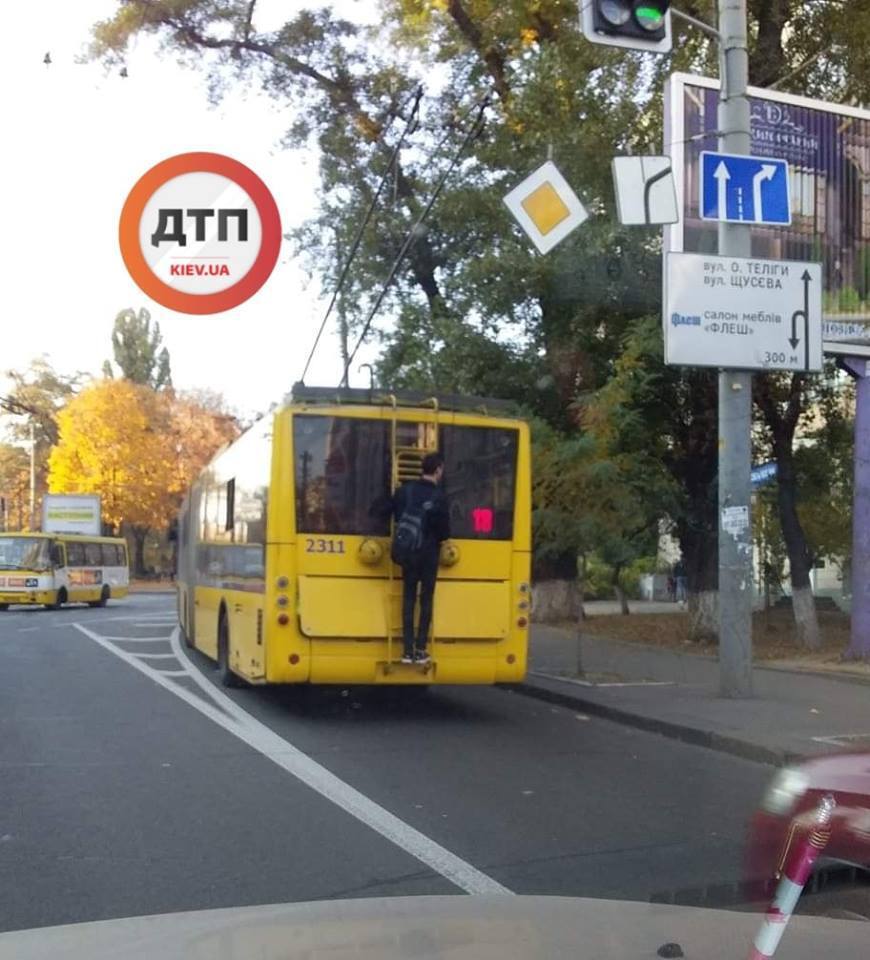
{"x":281,"y":752}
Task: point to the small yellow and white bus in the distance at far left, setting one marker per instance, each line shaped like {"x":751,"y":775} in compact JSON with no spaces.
{"x":54,"y":568}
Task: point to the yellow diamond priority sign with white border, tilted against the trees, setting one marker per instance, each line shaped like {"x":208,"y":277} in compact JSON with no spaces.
{"x":546,"y":207}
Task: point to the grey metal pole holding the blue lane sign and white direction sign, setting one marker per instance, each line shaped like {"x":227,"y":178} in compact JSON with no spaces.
{"x":735,"y":392}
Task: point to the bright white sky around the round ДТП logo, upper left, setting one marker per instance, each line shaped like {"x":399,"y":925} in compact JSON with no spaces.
{"x":76,"y":140}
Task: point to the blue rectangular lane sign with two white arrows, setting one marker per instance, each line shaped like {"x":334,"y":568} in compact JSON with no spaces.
{"x":742,"y":189}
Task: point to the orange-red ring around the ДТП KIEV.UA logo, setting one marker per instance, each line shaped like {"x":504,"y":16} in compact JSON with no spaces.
{"x":158,"y":289}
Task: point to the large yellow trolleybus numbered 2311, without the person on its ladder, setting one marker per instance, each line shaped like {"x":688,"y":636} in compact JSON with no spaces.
{"x":284,"y":570}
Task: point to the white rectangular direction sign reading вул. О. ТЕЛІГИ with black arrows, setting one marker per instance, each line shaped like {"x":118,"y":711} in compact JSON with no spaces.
{"x":742,"y":314}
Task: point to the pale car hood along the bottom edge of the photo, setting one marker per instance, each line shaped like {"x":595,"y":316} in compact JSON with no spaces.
{"x":461,"y":928}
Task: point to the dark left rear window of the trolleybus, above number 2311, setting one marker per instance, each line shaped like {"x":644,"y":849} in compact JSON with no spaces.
{"x":342,"y":467}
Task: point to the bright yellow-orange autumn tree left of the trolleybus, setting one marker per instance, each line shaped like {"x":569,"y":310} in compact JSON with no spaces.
{"x":139,"y":449}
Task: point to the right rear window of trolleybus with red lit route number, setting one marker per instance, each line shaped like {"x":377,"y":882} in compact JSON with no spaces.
{"x":480,"y":466}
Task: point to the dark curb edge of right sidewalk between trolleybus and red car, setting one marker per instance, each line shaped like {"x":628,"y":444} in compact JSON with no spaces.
{"x":675,"y":731}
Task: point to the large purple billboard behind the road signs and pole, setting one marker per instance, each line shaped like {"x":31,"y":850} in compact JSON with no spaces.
{"x":827,"y":147}
